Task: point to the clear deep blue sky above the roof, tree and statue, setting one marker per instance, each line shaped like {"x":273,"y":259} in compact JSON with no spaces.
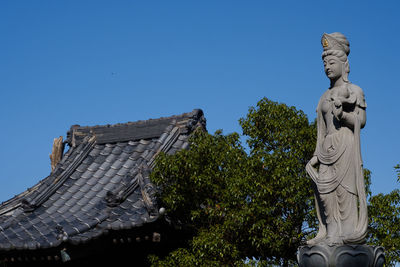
{"x":103,"y":62}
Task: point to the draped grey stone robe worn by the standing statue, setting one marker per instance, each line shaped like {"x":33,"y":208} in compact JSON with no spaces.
{"x":339,"y":181}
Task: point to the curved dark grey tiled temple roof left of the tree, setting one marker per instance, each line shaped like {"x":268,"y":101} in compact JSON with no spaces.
{"x":101,"y":184}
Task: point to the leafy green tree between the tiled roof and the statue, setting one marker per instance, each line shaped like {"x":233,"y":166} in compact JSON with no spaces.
{"x":237,"y":205}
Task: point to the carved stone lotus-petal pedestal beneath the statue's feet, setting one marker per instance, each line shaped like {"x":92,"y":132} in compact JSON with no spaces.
{"x":341,"y":256}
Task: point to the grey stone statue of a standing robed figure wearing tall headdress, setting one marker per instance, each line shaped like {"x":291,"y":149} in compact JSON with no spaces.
{"x":339,"y":182}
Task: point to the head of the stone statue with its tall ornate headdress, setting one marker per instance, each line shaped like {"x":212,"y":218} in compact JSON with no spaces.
{"x":336,"y":49}
